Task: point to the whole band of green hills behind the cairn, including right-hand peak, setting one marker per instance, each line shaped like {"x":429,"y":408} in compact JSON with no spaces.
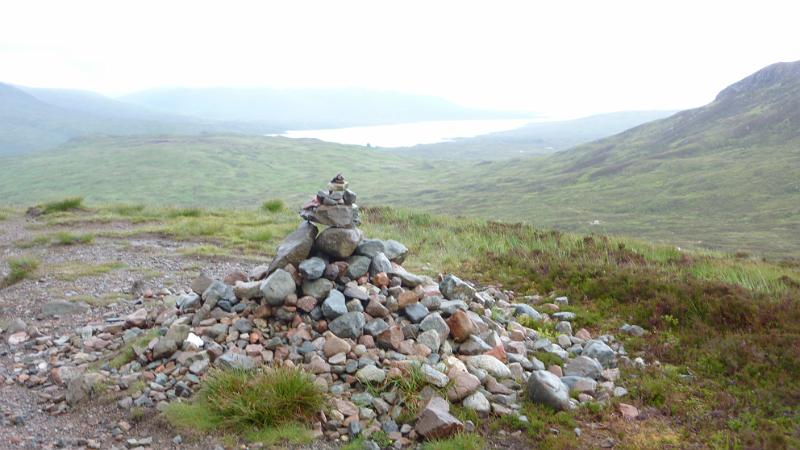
{"x":723,"y":176}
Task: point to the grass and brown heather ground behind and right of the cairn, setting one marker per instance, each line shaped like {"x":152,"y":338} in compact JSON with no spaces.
{"x":724,"y":329}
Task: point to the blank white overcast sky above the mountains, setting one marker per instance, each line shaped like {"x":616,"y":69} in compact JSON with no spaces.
{"x":553,"y":57}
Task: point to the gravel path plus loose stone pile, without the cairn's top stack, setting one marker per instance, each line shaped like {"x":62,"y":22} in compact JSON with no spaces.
{"x":351,"y":315}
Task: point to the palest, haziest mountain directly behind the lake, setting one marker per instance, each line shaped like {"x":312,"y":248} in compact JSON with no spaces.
{"x":307,"y":108}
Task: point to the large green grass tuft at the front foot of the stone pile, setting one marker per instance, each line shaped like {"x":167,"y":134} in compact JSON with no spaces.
{"x":260,"y":405}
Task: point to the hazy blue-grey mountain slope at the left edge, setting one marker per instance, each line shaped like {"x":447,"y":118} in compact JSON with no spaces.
{"x":33,"y":119}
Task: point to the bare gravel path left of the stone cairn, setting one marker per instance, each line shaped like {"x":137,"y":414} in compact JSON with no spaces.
{"x":152,"y":263}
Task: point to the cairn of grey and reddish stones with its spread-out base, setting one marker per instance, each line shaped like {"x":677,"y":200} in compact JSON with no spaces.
{"x":344,"y":309}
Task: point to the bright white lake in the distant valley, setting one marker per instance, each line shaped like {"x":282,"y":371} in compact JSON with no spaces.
{"x":409,"y":134}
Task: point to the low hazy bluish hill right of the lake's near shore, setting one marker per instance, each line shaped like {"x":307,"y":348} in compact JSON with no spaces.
{"x":534,"y":138}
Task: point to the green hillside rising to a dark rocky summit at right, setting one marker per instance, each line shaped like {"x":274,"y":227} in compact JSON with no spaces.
{"x":727,"y":173}
